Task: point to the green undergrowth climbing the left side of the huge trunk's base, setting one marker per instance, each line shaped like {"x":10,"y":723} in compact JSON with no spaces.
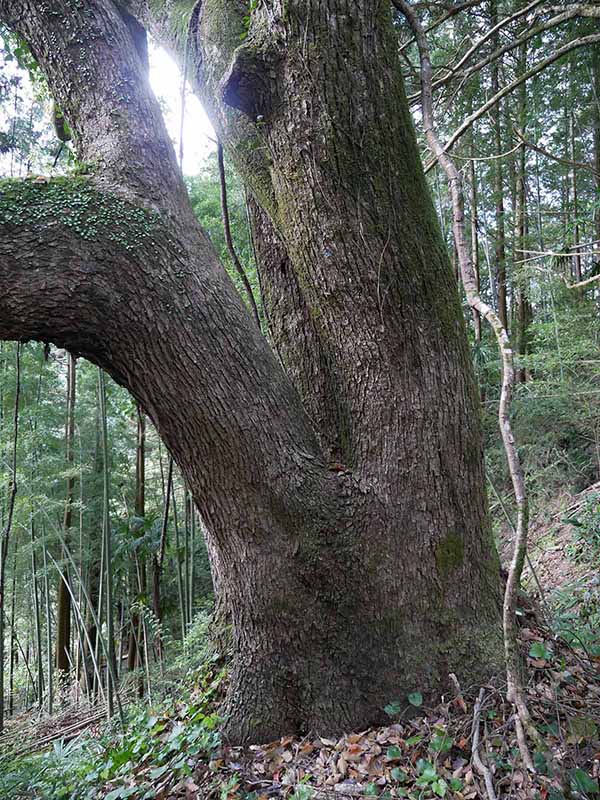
{"x":164,"y":738}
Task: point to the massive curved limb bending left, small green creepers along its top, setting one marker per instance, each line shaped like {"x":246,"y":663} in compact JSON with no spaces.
{"x":112,"y":282}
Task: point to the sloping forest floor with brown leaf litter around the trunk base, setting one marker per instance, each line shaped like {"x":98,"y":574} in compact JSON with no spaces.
{"x":427,"y":756}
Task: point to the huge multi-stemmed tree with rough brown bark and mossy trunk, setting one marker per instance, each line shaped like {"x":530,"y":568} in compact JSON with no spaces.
{"x":339,"y":473}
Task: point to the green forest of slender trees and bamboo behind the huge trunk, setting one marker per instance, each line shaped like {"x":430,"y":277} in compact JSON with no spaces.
{"x":107,"y":596}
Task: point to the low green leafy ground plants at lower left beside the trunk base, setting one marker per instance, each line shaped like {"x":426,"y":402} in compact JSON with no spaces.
{"x":161,"y":740}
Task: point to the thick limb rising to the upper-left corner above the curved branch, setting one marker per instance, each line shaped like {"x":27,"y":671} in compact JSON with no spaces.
{"x":102,"y":88}
